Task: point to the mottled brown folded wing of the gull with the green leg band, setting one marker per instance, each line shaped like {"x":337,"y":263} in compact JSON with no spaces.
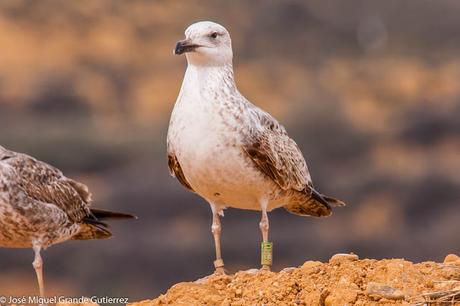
{"x":277,"y":155}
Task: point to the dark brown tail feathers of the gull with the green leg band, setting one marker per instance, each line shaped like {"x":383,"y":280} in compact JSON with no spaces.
{"x":315,"y":204}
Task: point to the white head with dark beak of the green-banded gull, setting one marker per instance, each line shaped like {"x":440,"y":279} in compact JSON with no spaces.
{"x":206,"y":43}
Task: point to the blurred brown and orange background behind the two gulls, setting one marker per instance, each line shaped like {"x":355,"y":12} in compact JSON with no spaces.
{"x":369,"y":90}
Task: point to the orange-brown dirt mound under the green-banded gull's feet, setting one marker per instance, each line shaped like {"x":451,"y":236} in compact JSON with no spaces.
{"x":344,"y":280}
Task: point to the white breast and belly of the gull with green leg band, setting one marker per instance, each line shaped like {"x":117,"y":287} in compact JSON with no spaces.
{"x":210,"y":153}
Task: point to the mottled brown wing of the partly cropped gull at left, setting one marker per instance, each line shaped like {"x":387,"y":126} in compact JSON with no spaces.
{"x":47,"y":184}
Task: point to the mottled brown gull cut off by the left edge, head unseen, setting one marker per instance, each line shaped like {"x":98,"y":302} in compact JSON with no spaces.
{"x":39,"y":207}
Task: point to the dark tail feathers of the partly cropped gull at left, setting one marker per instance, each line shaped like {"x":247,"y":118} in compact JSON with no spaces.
{"x":92,"y":226}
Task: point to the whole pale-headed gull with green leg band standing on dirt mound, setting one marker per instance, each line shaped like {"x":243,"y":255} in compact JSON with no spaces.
{"x":229,"y":151}
